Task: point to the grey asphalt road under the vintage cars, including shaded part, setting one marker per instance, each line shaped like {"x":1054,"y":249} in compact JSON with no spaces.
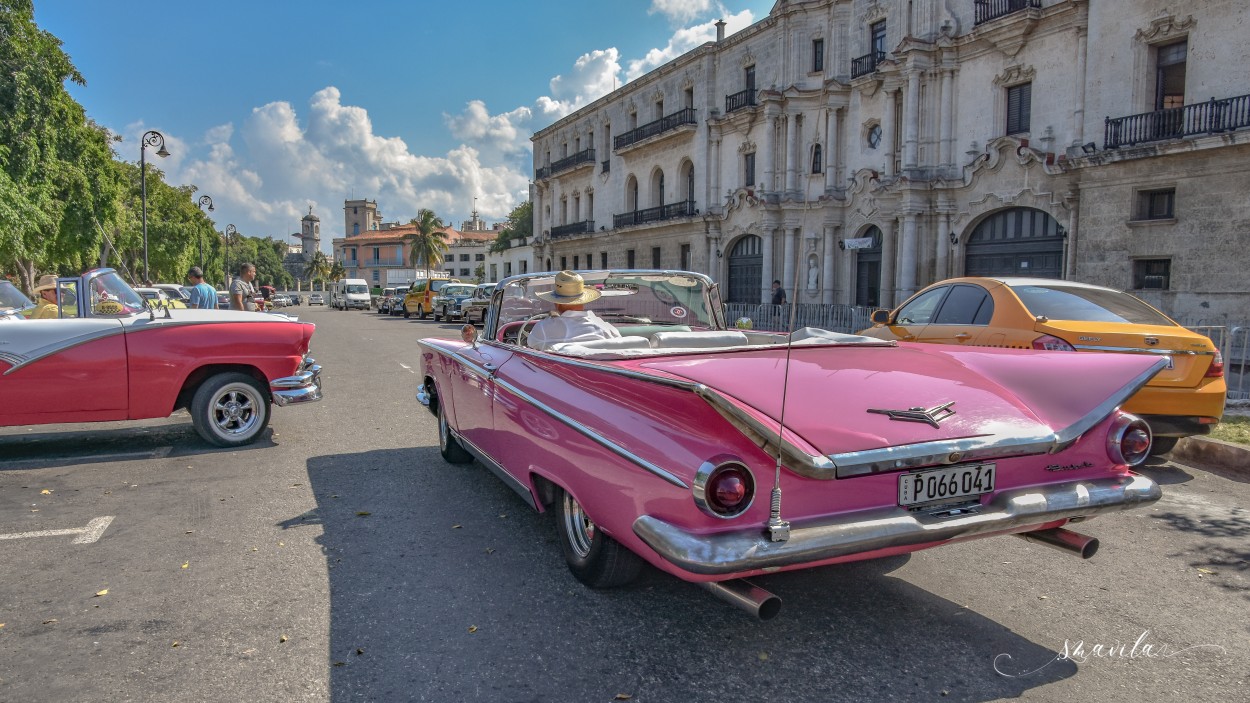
{"x":341,"y":559}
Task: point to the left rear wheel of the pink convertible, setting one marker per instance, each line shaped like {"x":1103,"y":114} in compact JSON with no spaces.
{"x":594,"y":559}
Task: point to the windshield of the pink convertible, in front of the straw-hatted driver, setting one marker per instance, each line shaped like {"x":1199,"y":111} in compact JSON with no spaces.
{"x":661,"y":298}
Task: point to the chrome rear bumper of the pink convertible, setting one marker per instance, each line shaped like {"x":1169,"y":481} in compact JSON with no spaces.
{"x":869,"y":531}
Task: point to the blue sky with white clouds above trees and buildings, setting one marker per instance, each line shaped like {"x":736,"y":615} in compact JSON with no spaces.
{"x":271,"y":107}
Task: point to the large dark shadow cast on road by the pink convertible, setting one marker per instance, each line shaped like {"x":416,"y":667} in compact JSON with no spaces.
{"x":444,"y":586}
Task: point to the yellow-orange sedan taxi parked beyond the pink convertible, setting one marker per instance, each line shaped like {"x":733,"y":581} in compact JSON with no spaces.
{"x":1027,"y":313}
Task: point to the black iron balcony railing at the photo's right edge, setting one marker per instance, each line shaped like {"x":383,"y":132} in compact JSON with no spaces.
{"x":1177,"y":123}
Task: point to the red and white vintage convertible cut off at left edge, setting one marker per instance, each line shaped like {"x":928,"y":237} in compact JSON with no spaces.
{"x":109,"y":357}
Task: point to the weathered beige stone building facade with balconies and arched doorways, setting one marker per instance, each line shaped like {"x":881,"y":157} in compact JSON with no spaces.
{"x":861,"y":151}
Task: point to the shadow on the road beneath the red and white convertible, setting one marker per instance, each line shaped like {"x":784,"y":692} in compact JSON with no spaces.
{"x":123,"y":443}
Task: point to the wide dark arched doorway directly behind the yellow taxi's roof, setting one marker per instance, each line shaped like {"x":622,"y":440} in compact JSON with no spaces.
{"x":1017,"y":242}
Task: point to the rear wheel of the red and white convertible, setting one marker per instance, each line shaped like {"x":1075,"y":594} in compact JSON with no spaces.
{"x":231,"y":410}
